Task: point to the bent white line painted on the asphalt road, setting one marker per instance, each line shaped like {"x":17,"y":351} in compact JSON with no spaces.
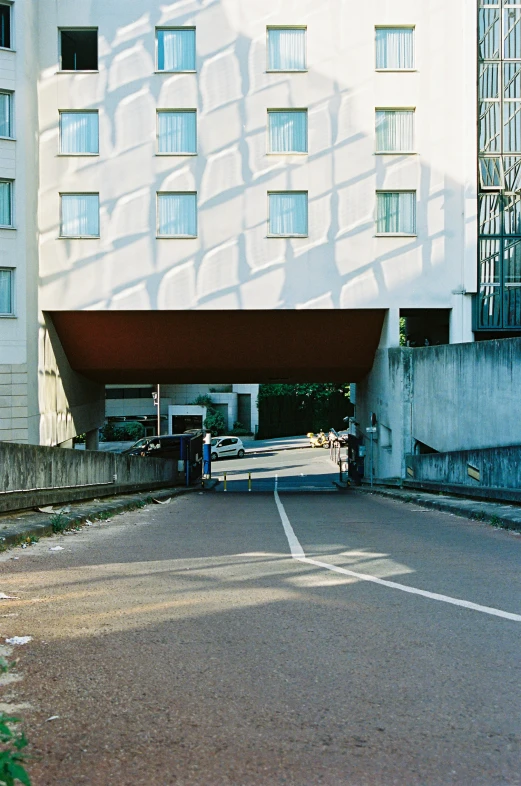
{"x":297,"y":553}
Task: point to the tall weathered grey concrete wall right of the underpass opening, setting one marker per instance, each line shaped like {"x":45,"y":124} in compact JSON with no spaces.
{"x":455,"y":397}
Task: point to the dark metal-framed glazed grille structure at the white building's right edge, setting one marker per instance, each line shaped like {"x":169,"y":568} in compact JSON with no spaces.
{"x":499,"y":139}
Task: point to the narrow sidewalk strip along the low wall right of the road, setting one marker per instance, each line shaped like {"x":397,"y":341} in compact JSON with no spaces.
{"x":494,"y":513}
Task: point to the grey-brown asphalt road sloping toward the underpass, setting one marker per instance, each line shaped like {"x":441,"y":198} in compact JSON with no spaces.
{"x":183,"y":644}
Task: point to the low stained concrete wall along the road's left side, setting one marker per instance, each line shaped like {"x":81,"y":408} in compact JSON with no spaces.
{"x":33,"y":476}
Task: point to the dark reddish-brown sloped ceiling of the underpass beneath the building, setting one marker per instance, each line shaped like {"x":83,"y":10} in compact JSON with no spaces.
{"x":220,"y":346}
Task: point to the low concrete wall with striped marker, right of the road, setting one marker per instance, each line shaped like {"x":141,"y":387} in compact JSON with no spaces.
{"x":492,"y":468}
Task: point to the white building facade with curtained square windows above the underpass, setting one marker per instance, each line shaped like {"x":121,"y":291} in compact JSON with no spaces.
{"x":223,"y":156}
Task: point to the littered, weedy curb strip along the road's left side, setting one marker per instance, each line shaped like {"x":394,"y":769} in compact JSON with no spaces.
{"x":43,"y":526}
